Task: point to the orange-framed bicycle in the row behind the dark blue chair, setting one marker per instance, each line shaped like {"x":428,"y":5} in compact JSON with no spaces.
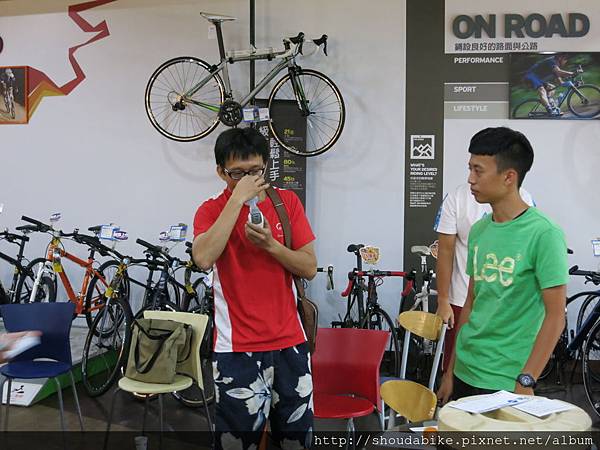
{"x":43,"y":272}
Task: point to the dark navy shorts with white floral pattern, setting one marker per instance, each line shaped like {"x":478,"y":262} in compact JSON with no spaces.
{"x":253,"y":387}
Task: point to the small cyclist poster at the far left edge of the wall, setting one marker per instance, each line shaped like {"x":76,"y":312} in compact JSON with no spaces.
{"x":13,"y":87}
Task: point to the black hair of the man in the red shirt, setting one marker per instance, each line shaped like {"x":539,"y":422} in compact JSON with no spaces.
{"x":240,"y":143}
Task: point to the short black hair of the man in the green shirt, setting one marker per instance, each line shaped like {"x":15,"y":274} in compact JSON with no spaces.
{"x":511,"y":149}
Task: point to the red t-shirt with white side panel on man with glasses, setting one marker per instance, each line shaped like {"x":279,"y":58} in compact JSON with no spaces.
{"x":255,"y":301}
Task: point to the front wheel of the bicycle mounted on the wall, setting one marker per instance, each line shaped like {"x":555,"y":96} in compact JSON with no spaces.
{"x":318,"y":121}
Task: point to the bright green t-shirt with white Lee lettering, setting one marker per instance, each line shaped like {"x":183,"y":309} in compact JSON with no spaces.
{"x":510,"y":262}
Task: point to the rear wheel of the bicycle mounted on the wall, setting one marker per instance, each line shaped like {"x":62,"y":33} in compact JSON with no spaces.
{"x":166,"y":86}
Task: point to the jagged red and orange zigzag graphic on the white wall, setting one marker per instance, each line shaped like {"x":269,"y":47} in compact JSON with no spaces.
{"x":40,"y":84}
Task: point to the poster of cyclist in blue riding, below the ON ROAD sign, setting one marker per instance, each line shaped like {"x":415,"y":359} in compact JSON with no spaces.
{"x":555,"y":86}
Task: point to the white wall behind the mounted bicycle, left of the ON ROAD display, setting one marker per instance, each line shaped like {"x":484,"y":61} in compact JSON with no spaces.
{"x":94,"y":156}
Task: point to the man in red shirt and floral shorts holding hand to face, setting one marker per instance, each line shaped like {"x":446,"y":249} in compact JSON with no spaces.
{"x":261,"y":364}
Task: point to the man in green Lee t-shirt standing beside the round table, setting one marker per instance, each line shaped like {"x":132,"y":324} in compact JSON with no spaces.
{"x":517,"y":263}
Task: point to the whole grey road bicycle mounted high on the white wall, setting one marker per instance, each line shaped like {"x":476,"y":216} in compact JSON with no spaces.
{"x":186,"y":97}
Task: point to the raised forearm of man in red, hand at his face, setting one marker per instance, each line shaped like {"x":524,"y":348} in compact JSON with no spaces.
{"x":207,"y":247}
